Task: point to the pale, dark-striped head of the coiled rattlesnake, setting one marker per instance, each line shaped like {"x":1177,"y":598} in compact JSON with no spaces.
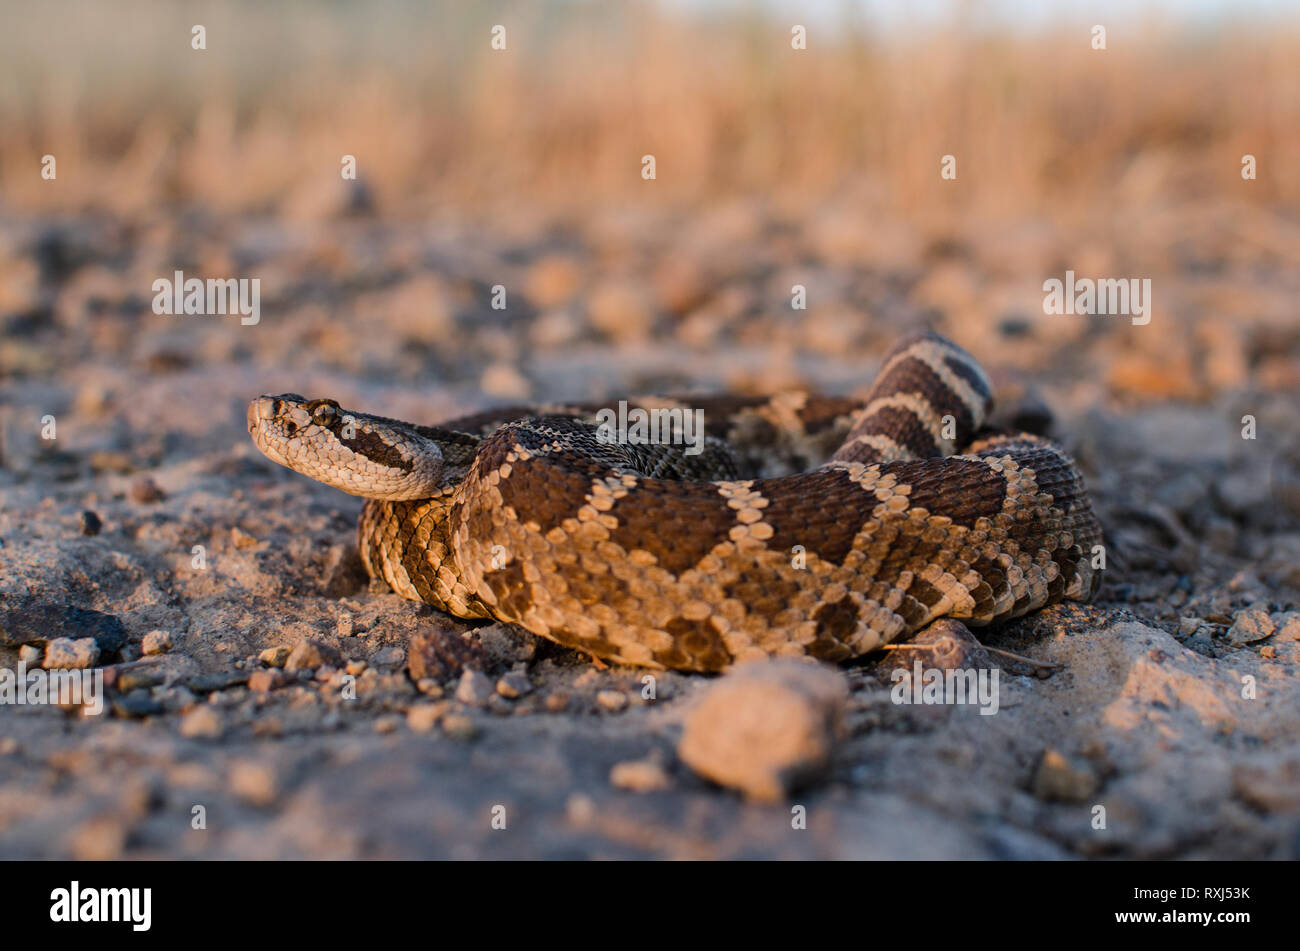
{"x":362,"y":455}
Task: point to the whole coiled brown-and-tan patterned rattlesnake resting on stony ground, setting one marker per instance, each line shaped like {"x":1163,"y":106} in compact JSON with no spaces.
{"x":652,"y":555}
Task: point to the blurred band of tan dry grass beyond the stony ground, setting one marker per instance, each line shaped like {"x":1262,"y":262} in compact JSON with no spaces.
{"x":258,"y":123}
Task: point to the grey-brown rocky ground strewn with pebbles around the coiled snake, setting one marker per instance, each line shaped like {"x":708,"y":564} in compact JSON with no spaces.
{"x":223,"y":598}
